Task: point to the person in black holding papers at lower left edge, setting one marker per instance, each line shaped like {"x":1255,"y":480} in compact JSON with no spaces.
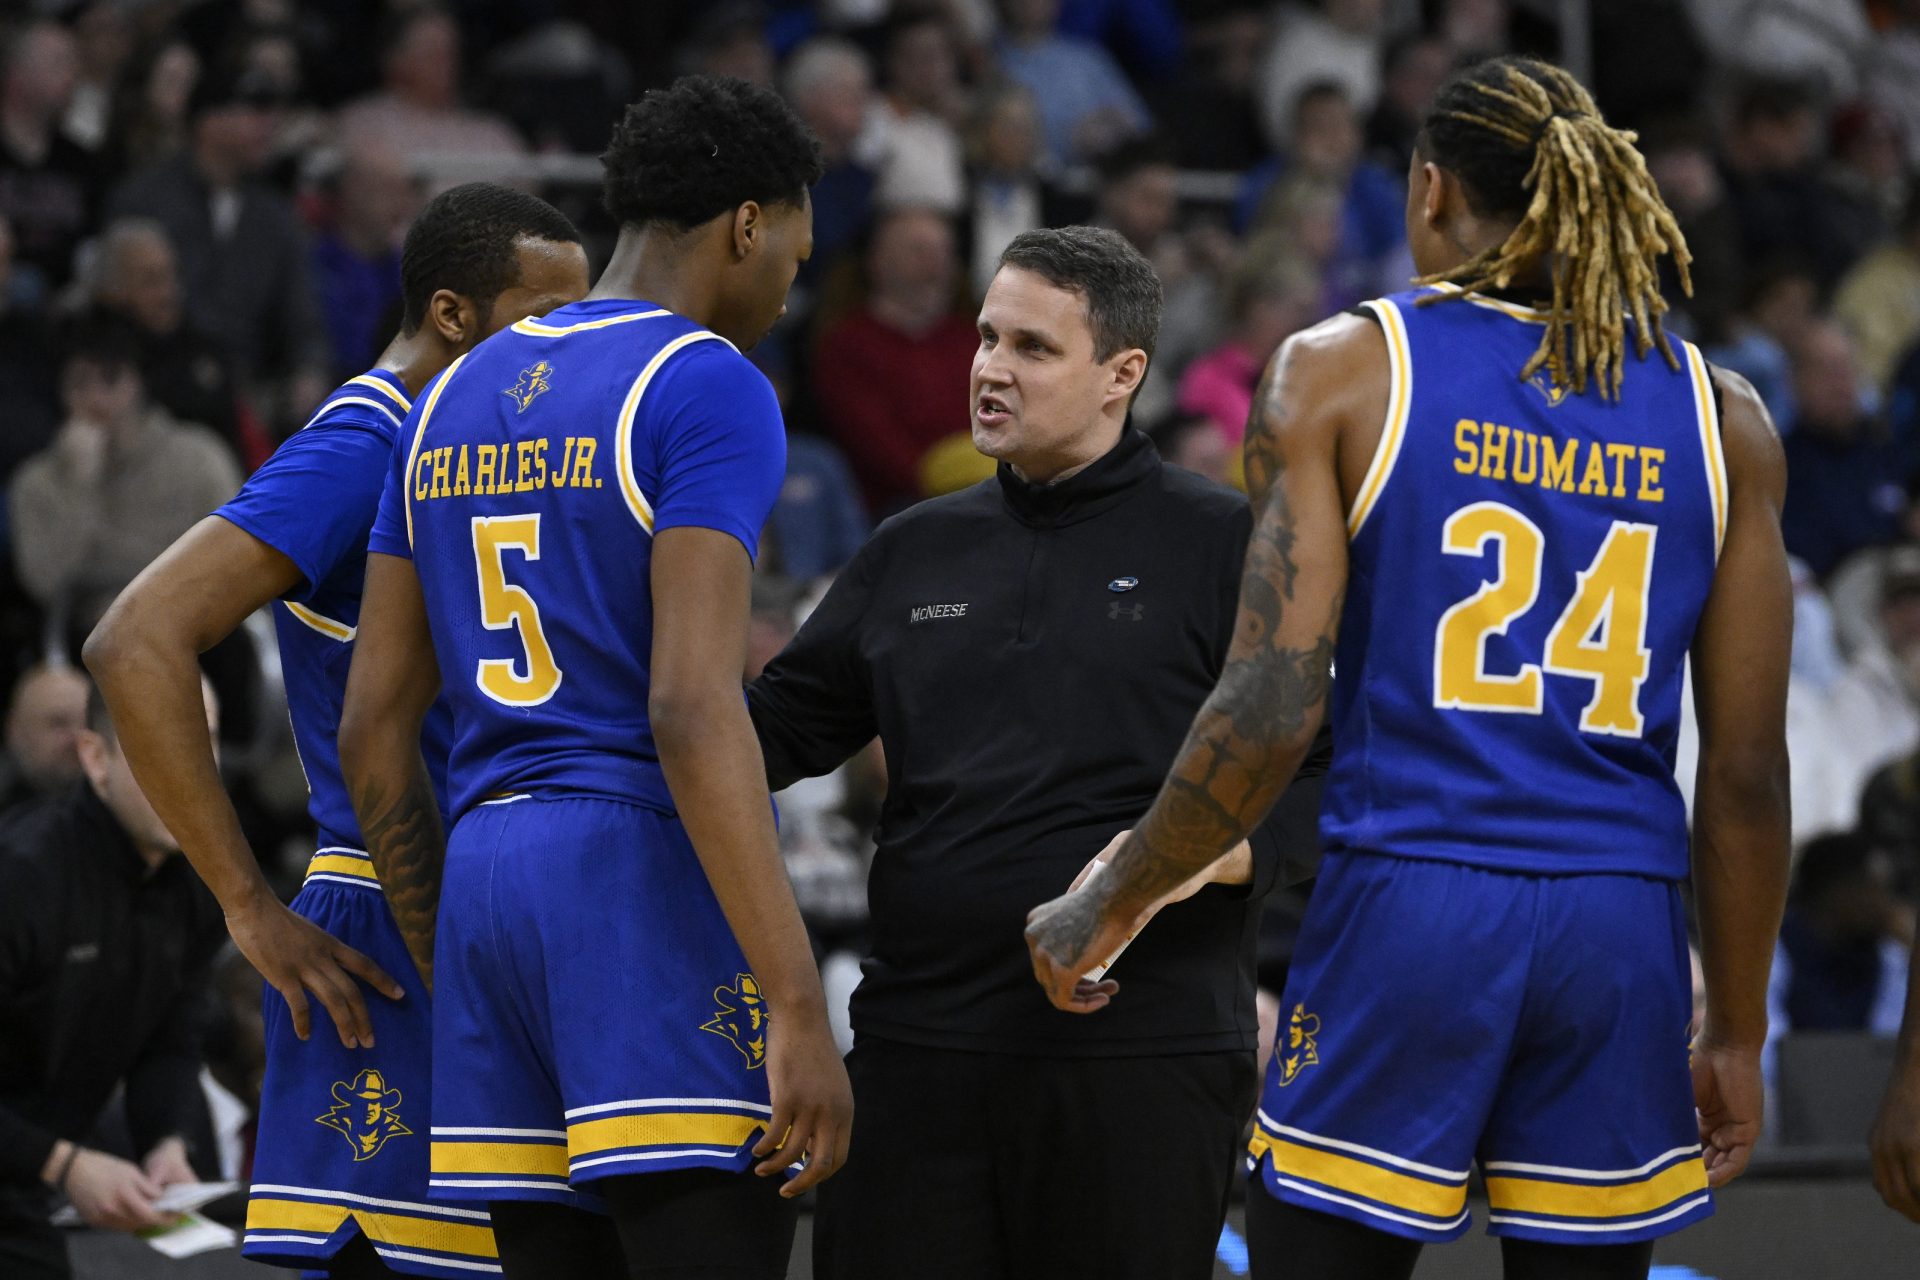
{"x":107,"y":943}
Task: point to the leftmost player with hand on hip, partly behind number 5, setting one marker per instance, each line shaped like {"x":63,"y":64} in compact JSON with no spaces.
{"x":341,"y":1164}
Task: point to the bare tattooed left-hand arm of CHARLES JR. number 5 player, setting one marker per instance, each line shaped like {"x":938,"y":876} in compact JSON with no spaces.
{"x":391,"y":688}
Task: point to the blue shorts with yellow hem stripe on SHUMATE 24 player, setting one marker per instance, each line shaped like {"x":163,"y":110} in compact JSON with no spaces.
{"x":1441,"y":1016}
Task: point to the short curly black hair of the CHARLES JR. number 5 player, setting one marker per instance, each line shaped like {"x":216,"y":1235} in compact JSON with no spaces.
{"x":702,"y":147}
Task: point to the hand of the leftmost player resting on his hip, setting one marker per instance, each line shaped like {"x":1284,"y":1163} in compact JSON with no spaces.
{"x":297,"y":957}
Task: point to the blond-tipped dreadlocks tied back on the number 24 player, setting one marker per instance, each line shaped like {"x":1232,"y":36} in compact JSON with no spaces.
{"x":1525,"y":139}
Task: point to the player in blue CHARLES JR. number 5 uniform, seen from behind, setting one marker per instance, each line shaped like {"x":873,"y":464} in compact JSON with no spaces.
{"x":625,"y":995}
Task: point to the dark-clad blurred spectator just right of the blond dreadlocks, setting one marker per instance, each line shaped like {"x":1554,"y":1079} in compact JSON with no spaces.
{"x":1771,"y":154}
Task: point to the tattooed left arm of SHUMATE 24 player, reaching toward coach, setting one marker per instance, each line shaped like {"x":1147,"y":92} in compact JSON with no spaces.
{"x":1260,"y":721}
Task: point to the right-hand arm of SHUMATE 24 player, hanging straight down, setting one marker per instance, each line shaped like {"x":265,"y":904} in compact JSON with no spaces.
{"x":1740,"y":792}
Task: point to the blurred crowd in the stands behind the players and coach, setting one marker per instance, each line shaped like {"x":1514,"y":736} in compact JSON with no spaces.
{"x":203,"y":202}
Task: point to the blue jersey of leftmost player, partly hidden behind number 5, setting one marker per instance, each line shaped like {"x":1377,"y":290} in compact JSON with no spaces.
{"x":316,"y":502}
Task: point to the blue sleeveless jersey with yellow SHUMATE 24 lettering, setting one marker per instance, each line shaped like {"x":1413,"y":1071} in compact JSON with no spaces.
{"x":1527,"y":573}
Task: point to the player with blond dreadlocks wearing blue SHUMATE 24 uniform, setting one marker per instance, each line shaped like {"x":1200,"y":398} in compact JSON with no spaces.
{"x":1512,"y":536}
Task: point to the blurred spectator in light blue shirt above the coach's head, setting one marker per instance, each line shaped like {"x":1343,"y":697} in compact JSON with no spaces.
{"x":1084,"y":97}
